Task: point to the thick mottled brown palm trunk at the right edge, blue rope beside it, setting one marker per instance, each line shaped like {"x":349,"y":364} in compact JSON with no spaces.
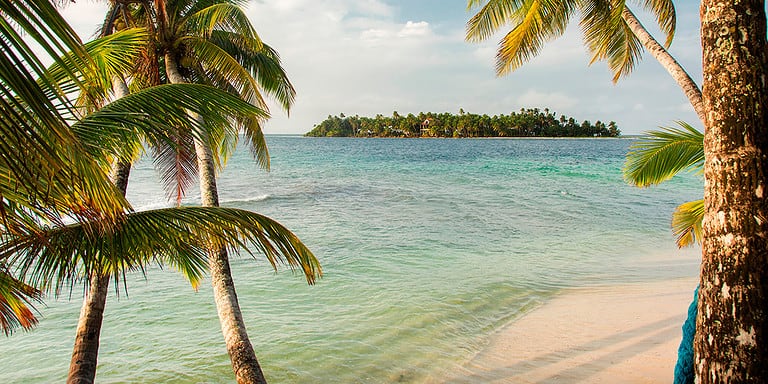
{"x":731,"y":343}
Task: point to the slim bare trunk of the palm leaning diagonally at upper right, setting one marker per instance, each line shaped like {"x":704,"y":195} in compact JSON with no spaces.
{"x":666,"y":60}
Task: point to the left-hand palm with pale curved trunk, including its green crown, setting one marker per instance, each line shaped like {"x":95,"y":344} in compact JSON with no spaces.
{"x":213,"y":42}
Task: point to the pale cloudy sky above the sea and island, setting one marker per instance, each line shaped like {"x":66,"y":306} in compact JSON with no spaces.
{"x":378,"y":56}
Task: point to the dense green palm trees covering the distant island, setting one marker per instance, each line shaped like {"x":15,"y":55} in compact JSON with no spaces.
{"x":526,"y":123}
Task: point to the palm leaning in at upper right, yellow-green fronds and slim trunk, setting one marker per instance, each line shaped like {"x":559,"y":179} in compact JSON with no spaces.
{"x":611,"y":32}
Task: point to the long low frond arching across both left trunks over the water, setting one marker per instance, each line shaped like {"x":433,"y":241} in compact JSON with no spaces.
{"x":52,"y":258}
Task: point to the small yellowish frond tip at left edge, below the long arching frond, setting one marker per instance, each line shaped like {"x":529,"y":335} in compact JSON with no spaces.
{"x":16,"y":298}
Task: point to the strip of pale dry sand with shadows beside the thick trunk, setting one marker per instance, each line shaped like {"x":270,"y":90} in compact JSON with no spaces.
{"x":623,"y":334}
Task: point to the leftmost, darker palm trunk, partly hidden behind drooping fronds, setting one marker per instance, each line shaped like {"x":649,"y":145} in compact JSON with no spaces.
{"x":82,"y":366}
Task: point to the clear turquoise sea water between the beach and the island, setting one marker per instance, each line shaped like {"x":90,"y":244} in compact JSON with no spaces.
{"x":428,"y":246}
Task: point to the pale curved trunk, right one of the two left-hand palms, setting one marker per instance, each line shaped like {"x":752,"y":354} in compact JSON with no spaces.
{"x":241,"y":354}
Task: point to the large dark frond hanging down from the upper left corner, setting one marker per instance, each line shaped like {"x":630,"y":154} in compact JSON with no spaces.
{"x":42,"y":163}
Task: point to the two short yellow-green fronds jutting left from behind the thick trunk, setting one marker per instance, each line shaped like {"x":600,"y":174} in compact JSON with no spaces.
{"x":659,"y":157}
